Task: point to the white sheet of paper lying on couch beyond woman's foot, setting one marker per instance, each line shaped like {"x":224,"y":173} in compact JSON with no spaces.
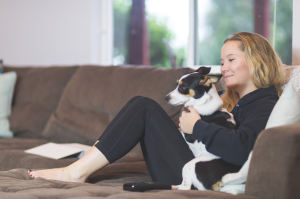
{"x":54,"y":151}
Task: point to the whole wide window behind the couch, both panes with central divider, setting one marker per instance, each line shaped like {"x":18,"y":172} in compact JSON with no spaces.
{"x":190,"y":33}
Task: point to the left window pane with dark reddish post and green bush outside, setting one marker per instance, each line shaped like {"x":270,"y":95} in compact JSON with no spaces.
{"x":149,"y":33}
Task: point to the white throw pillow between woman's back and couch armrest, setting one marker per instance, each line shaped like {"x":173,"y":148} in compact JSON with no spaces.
{"x":287,"y":109}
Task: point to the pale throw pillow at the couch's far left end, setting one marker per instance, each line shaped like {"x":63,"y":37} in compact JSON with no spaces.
{"x":7,"y":83}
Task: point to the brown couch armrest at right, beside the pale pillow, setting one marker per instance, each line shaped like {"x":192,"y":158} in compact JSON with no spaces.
{"x":275,"y":166}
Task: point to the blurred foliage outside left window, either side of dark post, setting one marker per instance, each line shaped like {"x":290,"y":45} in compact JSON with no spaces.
{"x":158,"y":32}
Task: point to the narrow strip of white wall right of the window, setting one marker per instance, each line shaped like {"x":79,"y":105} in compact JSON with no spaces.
{"x":296,"y":32}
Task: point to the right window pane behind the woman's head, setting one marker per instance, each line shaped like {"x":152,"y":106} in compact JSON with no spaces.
{"x":219,"y":18}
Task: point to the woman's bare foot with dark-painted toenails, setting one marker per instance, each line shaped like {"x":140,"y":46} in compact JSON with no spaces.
{"x":62,"y":174}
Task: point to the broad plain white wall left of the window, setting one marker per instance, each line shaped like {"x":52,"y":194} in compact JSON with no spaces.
{"x":50,"y":32}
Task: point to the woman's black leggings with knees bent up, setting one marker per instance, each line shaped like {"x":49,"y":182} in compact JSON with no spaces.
{"x":143,"y":120}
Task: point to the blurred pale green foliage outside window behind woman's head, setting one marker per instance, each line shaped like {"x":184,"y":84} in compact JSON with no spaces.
{"x":237,"y":16}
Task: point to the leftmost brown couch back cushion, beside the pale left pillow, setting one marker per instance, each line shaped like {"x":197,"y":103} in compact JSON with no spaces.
{"x":36,"y":95}
